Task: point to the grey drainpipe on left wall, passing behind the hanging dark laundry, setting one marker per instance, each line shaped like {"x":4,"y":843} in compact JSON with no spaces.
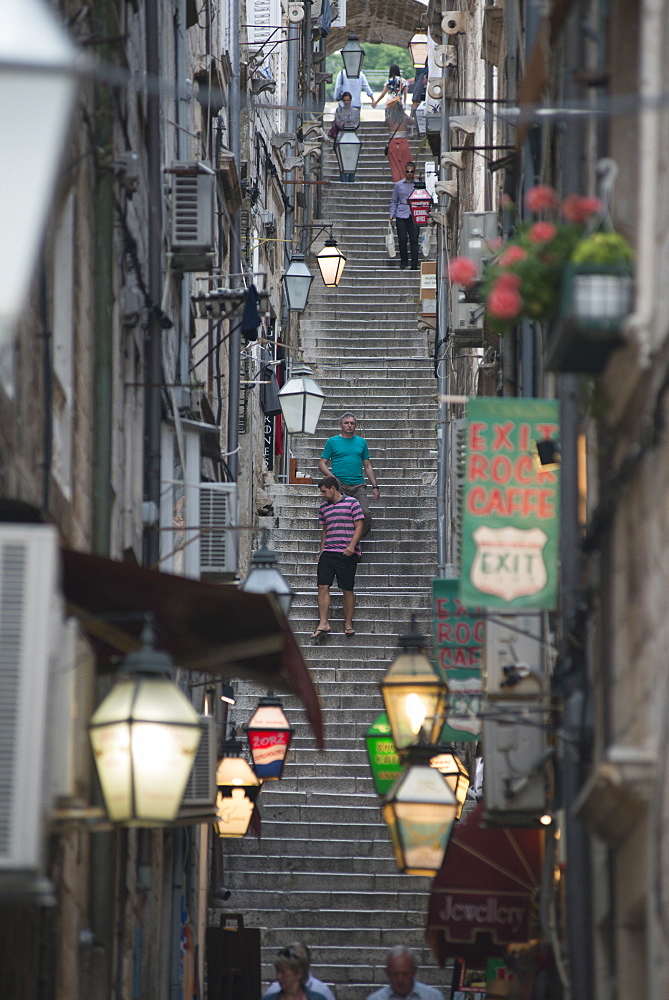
{"x":234,"y":369}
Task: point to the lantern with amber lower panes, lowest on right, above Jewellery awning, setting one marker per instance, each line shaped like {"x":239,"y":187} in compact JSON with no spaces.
{"x":420,"y":810}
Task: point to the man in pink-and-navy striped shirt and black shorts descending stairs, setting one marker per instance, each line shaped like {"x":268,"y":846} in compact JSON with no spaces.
{"x":341,"y":520}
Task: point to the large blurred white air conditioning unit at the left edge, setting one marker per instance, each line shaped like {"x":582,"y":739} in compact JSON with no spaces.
{"x":30,"y":618}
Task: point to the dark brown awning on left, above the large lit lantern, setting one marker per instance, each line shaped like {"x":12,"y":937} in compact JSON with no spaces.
{"x":212,"y":628}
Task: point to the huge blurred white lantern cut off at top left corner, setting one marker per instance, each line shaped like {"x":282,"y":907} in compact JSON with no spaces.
{"x":37,"y":84}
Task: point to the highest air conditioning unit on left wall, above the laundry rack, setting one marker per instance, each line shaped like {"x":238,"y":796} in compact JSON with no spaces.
{"x":192,"y":233}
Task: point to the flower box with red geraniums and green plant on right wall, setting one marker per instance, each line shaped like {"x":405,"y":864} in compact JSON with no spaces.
{"x":558,"y":270}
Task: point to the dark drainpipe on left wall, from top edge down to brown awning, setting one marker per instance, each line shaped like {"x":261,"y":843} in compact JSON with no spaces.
{"x":152,"y":342}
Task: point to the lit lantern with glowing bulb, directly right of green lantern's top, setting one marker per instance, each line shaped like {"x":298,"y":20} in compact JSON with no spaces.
{"x":413,"y":693}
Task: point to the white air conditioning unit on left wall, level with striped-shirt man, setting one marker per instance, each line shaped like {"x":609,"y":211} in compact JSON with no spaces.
{"x":218,"y":537}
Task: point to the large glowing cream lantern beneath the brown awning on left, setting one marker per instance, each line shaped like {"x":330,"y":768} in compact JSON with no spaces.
{"x":144,"y":736}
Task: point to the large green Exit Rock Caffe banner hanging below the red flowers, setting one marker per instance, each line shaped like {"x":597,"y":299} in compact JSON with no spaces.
{"x":511,"y":516}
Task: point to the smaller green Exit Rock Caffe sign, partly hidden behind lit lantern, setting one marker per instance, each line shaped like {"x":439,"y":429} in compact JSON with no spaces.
{"x":458,"y":645}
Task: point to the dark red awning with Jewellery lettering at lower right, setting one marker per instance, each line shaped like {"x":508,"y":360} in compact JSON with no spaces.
{"x":485,"y":895}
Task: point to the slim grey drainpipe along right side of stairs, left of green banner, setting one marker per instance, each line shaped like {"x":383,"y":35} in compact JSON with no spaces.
{"x":442,"y":350}
